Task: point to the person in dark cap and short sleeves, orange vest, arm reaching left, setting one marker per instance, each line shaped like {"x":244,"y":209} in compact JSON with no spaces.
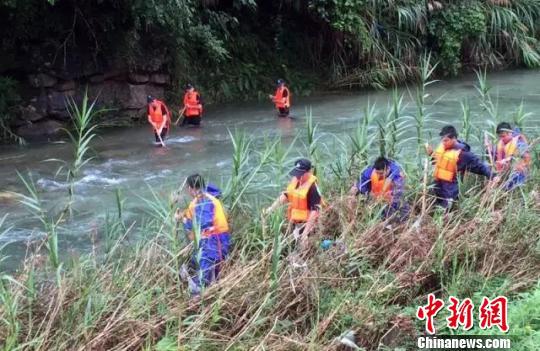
{"x":303,"y":198}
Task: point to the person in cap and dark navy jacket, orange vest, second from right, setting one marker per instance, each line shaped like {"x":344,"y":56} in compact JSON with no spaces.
{"x":453,"y":157}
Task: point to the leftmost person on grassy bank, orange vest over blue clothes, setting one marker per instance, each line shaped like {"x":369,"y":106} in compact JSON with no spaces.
{"x":205,"y":219}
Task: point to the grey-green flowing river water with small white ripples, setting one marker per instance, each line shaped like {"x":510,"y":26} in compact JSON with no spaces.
{"x":126,"y":158}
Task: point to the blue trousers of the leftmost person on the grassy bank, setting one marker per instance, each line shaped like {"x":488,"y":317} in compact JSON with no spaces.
{"x":208,"y":258}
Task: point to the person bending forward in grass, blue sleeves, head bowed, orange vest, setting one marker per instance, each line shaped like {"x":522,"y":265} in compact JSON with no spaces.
{"x":384,"y":181}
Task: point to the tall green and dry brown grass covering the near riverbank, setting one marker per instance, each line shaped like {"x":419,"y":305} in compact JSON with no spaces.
{"x":126,"y":293}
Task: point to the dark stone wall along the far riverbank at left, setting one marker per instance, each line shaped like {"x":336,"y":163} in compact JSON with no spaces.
{"x":44,"y":113}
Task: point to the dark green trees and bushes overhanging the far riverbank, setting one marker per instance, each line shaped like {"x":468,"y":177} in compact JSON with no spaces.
{"x":236,"y":48}
